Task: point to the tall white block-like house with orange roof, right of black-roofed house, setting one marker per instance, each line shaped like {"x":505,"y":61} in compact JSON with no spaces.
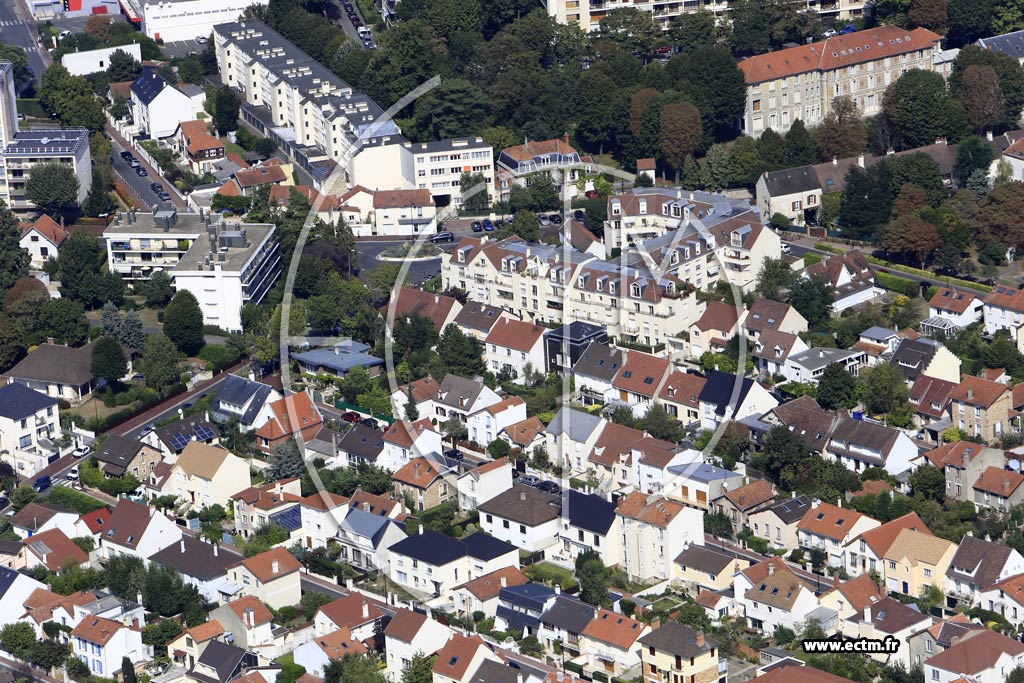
{"x":656,"y":531}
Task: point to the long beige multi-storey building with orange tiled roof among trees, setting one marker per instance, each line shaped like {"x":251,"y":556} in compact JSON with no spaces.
{"x":801,"y":82}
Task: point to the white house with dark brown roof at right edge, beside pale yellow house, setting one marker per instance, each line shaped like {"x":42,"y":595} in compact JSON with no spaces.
{"x":977,"y":565}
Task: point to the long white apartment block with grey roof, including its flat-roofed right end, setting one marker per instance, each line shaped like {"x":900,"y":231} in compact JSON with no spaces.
{"x":330,"y":124}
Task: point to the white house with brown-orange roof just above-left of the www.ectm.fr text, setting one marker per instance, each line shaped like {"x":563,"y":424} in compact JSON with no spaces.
{"x":772,"y":595}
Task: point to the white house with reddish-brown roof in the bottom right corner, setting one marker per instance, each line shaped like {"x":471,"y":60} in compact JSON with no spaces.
{"x":982,"y":656}
